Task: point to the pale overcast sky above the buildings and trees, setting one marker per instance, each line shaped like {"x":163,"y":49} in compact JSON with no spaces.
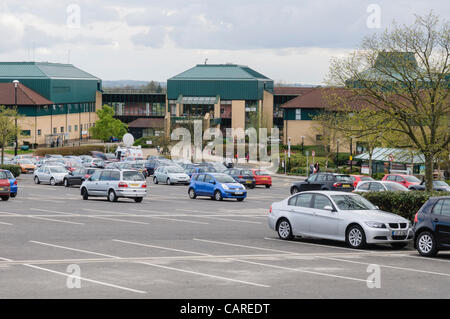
{"x":287,"y":40}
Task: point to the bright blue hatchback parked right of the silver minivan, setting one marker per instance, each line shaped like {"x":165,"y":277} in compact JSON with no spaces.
{"x":217,"y":186}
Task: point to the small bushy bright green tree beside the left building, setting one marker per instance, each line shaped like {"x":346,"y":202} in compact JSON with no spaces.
{"x":107,"y":126}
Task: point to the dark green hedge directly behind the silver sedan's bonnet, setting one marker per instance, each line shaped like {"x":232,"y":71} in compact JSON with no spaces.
{"x":405,"y":204}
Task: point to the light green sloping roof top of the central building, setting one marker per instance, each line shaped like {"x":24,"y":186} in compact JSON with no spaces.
{"x":220,"y":72}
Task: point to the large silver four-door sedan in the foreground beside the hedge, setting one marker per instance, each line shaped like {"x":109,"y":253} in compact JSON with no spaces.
{"x":338,"y":216}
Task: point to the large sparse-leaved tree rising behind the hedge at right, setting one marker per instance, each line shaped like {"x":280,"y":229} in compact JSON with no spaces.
{"x":403,"y":74}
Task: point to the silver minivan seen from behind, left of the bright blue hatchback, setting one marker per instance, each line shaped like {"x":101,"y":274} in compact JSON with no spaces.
{"x":115,"y":184}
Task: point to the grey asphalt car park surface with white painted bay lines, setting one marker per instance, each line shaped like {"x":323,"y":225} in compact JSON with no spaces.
{"x":170,"y":246}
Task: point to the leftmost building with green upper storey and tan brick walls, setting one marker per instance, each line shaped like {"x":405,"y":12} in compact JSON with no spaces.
{"x":57,"y":101}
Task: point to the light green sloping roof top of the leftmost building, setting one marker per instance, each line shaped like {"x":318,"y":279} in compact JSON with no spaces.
{"x":42,"y":70}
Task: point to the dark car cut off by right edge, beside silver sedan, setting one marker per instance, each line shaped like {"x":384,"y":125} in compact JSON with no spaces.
{"x":432,"y":226}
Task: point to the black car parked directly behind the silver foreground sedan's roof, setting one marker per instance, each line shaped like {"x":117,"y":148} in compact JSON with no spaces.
{"x":324,"y":181}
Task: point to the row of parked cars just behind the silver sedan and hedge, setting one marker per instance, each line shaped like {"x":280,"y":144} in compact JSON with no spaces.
{"x":361,"y":183}
